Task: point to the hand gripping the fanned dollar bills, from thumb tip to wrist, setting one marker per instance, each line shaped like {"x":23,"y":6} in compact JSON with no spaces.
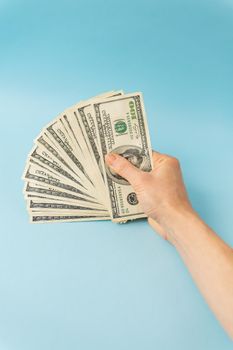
{"x":161,"y":192}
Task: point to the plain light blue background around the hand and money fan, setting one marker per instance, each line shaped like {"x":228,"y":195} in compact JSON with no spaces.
{"x":100,"y":285}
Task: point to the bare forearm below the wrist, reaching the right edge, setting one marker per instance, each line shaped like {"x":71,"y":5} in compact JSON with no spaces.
{"x":209,"y":260}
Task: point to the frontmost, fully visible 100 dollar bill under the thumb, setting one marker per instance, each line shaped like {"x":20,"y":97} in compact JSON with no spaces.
{"x":122,"y":128}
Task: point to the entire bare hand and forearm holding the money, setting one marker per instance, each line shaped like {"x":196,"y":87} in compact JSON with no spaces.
{"x":163,"y":197}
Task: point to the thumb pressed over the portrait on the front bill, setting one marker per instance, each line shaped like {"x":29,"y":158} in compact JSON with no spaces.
{"x":123,"y":167}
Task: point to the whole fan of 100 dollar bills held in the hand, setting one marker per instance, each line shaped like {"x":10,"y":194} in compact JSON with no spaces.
{"x":66,"y":177}
